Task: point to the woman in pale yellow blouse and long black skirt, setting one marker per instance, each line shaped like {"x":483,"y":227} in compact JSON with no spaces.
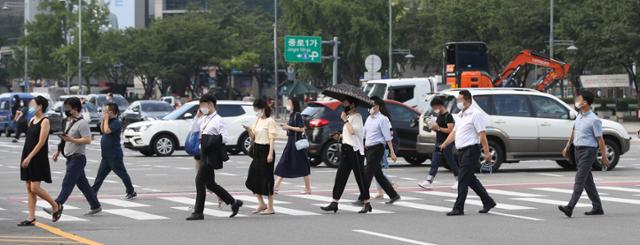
{"x":260,"y":179}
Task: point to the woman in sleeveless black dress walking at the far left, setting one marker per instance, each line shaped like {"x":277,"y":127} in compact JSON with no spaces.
{"x":35,"y":160}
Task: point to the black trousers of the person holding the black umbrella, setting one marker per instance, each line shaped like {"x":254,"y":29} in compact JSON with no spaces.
{"x":349,"y":160}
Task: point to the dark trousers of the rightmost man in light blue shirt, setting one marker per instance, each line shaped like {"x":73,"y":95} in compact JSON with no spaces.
{"x":585,"y":157}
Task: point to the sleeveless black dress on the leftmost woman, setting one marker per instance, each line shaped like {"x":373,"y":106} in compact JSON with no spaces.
{"x":38,"y":169}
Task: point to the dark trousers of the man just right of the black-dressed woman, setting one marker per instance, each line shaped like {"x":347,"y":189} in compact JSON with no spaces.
{"x":75,"y":177}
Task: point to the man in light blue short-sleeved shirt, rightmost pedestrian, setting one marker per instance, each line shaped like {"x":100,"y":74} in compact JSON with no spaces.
{"x":586,"y":136}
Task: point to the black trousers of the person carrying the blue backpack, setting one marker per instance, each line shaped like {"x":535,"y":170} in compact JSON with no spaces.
{"x":206,"y":179}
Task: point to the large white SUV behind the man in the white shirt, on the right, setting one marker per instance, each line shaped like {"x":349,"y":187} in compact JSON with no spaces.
{"x":525,"y":124}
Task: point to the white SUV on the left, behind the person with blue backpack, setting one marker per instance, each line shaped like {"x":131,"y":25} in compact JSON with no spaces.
{"x":163,"y":137}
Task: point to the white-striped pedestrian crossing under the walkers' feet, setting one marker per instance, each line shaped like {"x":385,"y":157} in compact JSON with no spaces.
{"x":518,"y":204}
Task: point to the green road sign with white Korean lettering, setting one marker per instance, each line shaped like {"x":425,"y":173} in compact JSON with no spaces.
{"x":303,"y":49}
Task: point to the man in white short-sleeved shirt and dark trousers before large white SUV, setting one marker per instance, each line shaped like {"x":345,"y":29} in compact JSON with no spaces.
{"x":469,"y":133}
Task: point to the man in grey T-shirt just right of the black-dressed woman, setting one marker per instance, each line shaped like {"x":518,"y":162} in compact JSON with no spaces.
{"x":74,"y":140}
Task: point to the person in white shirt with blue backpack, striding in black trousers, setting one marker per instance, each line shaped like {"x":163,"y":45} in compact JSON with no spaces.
{"x":211,"y":159}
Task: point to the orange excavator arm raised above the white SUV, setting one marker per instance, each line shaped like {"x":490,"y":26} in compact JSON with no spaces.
{"x":512,"y":74}
